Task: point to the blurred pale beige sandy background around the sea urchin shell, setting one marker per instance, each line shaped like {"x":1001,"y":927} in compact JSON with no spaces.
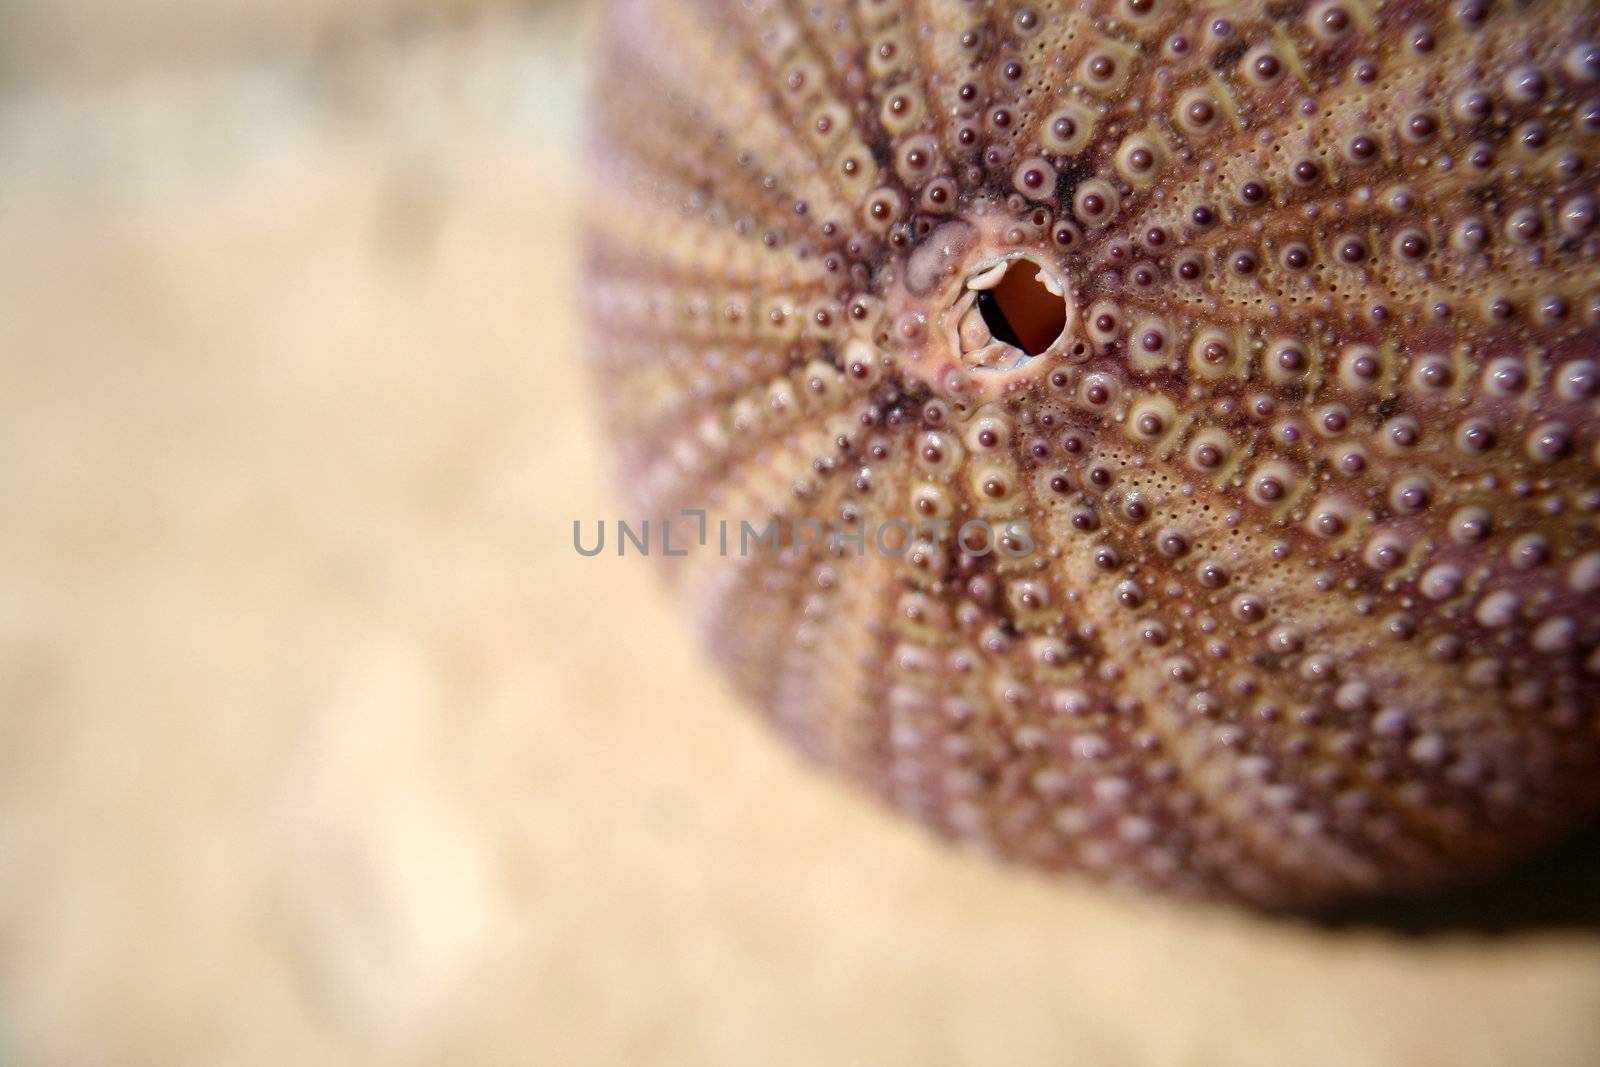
{"x":321,"y":746}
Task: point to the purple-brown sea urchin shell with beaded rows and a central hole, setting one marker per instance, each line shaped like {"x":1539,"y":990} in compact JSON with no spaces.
{"x":1263,"y":337}
